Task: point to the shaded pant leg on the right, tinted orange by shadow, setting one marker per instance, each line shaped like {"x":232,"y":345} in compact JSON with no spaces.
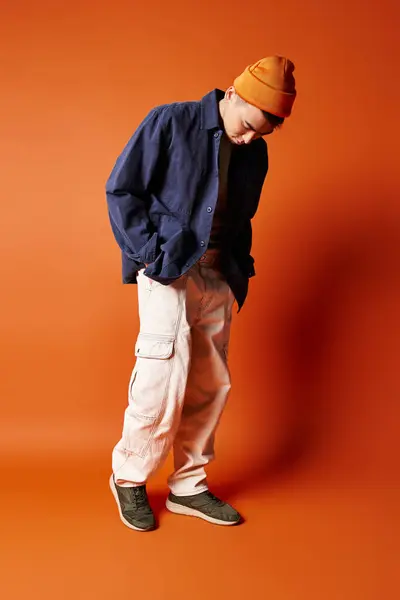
{"x":207,"y":388}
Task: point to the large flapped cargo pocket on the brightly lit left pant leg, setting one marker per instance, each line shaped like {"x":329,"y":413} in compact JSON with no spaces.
{"x":148,"y":391}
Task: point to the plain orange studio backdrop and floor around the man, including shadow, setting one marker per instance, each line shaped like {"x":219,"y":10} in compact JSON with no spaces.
{"x":308,"y":449}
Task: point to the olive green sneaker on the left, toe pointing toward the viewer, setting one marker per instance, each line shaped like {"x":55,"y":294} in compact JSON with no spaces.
{"x":133,"y":505}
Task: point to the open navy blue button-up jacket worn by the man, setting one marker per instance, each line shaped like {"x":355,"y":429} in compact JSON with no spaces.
{"x":163,"y":189}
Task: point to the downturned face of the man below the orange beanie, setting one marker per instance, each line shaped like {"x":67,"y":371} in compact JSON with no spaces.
{"x":243,"y":122}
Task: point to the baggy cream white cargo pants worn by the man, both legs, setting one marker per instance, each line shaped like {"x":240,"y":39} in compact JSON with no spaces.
{"x":180,"y":381}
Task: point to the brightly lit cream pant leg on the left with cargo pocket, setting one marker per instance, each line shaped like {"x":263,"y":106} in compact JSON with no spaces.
{"x":158,"y":381}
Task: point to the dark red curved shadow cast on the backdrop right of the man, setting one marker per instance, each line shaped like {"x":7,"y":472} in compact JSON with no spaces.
{"x":304,"y":326}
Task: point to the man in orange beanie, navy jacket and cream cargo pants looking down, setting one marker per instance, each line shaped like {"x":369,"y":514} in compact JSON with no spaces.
{"x":181,"y":197}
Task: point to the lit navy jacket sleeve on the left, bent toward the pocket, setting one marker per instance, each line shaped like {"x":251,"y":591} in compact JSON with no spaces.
{"x":128,"y":189}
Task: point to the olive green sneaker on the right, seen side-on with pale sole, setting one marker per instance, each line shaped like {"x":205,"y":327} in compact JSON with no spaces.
{"x":204,"y":505}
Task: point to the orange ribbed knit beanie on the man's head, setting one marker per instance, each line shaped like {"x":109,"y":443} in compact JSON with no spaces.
{"x":269,"y":84}
